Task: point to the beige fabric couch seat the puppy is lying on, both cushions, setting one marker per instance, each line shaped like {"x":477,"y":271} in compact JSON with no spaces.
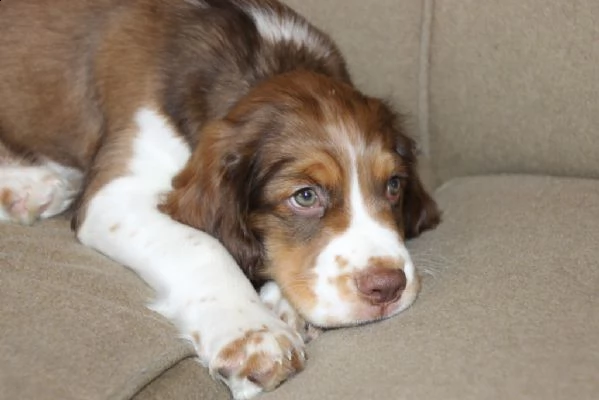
{"x":508,"y":310}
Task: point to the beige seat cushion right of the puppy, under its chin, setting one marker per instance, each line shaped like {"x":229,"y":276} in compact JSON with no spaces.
{"x":509,"y":313}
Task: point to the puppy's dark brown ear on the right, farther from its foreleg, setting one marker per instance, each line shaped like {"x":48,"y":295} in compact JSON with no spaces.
{"x":419,"y":211}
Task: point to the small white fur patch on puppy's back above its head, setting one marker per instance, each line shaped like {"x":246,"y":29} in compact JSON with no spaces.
{"x":284,"y":28}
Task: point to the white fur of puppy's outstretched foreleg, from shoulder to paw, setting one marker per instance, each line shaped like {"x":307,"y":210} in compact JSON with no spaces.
{"x":199,"y":285}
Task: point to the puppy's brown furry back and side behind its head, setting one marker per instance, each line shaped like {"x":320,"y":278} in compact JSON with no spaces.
{"x":71,"y":71}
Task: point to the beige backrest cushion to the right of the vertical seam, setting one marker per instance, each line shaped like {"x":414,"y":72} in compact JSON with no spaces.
{"x":514,"y":87}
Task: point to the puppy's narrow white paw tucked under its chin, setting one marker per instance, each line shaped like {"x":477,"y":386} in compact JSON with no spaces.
{"x":272,"y":297}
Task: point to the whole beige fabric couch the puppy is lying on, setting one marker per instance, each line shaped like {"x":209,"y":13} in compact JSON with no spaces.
{"x":504,"y":97}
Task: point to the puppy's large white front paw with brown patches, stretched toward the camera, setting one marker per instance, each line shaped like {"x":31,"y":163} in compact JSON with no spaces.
{"x":248,"y":348}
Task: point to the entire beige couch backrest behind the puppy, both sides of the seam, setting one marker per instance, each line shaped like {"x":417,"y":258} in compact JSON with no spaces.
{"x":489,"y":86}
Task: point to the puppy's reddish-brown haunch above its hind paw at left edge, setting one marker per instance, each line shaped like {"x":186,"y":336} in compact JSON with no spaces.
{"x":47,"y":101}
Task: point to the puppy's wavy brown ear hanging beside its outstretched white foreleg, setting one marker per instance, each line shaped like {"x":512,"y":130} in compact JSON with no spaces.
{"x":212,"y":194}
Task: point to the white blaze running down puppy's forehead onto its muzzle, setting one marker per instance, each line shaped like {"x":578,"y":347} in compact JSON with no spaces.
{"x":364,"y":239}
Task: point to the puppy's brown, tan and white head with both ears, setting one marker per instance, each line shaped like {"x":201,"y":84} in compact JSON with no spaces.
{"x":312,"y":184}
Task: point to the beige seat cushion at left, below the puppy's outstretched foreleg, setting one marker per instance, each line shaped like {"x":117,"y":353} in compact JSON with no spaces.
{"x":73,"y":324}
